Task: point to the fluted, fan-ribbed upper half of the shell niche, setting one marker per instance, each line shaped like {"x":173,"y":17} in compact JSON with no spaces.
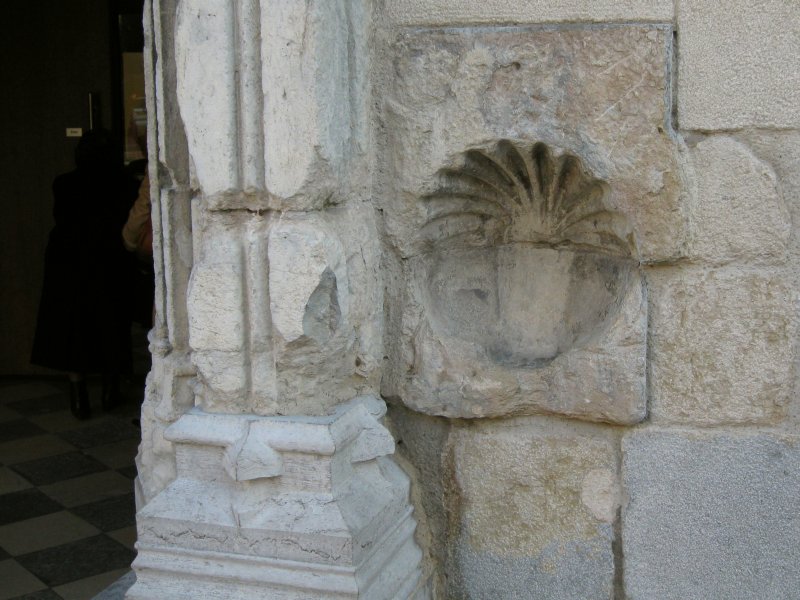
{"x":524,"y":193}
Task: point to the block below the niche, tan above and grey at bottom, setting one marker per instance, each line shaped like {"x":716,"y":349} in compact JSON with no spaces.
{"x":537,"y":500}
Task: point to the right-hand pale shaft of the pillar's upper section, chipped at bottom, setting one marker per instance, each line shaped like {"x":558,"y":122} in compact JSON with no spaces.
{"x":307,"y":104}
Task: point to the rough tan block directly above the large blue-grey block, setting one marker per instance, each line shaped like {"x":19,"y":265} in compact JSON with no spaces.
{"x":722,"y":345}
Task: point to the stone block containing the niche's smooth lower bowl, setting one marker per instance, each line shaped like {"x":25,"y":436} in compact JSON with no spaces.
{"x":470,"y":361}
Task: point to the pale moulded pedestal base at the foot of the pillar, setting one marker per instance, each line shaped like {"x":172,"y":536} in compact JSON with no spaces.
{"x":280,"y":508}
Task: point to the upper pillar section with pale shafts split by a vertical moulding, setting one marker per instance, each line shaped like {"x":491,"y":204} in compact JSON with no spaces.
{"x":285,"y":95}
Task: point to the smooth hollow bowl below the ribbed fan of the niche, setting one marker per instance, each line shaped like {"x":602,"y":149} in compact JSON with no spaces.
{"x":525,"y":305}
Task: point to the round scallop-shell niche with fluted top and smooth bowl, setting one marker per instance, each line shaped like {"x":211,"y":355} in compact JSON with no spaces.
{"x":539,"y":263}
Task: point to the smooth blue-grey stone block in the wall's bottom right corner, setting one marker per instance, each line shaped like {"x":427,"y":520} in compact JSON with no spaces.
{"x":711,"y":516}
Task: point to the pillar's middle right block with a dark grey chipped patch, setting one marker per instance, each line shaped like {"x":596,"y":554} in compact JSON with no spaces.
{"x":325,"y":288}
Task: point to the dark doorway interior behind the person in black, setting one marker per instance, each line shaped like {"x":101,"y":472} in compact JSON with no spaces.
{"x":53,"y":55}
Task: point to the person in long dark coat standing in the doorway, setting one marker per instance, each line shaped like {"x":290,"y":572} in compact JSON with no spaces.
{"x":83,"y":324}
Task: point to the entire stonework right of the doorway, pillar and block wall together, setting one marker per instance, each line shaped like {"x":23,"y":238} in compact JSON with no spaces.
{"x":557,"y":239}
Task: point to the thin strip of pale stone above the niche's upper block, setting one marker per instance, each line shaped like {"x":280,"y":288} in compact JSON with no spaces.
{"x":444,"y":12}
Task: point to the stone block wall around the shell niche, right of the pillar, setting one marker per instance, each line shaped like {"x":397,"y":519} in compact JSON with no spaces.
{"x":685,"y":483}
